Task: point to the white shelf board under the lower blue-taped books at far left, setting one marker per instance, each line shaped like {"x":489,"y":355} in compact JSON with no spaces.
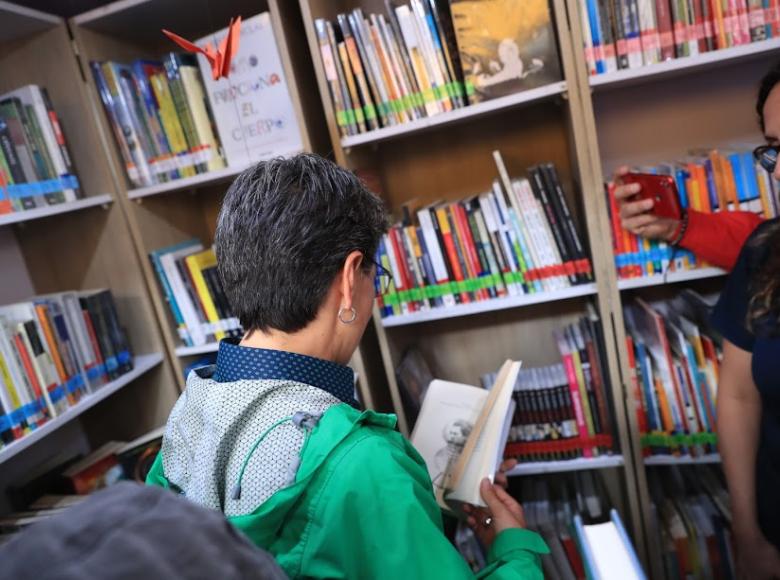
{"x":142,"y":364}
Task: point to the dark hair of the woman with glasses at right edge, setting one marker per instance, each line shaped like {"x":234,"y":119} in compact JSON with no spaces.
{"x":765,"y":294}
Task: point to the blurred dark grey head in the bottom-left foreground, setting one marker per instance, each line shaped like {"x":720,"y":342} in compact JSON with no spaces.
{"x":130,"y":532}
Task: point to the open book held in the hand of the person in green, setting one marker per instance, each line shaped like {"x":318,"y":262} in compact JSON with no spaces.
{"x":461,"y":433}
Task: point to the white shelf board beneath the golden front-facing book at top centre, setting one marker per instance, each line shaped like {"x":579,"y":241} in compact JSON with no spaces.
{"x":455,"y":116}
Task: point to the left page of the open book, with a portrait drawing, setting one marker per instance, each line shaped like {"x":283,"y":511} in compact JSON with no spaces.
{"x":448,"y":414}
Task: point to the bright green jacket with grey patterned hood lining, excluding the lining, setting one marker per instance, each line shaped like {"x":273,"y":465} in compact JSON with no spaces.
{"x":362,"y":506}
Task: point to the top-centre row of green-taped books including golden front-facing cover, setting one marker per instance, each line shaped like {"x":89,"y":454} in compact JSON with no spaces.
{"x":432,"y":56}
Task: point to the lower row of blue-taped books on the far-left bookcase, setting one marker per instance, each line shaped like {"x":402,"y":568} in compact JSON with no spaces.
{"x":54,"y":350}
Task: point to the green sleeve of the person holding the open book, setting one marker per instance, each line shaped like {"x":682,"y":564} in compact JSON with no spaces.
{"x":376,"y":517}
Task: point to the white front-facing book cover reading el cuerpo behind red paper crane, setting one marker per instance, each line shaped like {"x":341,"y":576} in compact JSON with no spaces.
{"x":252,"y":108}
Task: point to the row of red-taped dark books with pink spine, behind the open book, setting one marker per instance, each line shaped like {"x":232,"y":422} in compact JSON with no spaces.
{"x":564,"y":411}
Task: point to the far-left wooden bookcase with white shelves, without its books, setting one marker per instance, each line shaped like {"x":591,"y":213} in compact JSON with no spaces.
{"x":80,"y":245}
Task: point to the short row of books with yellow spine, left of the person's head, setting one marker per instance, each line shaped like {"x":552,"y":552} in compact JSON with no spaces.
{"x":193,"y":289}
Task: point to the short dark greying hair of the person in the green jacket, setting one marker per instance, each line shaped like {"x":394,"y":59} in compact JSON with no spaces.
{"x":285,"y":228}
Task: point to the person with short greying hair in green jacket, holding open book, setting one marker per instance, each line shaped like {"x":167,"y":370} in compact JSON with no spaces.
{"x":271,"y":435}
